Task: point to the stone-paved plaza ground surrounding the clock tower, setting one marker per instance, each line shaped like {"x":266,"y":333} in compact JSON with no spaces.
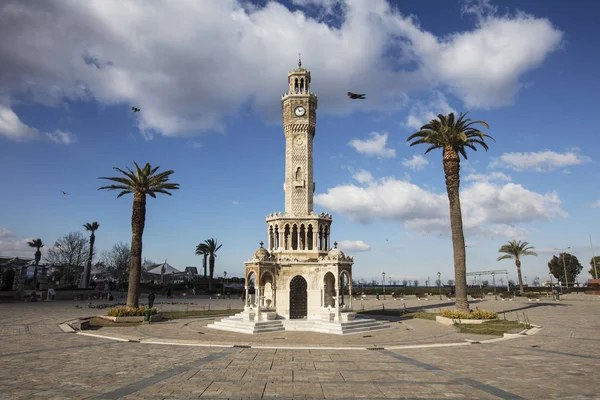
{"x":415,"y":359}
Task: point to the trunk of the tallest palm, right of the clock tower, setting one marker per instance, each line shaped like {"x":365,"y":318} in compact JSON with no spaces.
{"x":452,"y":171}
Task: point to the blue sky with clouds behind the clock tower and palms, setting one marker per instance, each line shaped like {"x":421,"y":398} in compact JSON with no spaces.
{"x":208,"y":78}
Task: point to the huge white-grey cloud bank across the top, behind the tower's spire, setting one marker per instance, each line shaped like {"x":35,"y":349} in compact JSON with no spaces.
{"x":123,"y":53}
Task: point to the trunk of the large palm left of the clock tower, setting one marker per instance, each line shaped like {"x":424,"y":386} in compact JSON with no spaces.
{"x":138,"y":221}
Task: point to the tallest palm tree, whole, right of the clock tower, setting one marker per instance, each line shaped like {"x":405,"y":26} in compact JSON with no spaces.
{"x":453,"y":136}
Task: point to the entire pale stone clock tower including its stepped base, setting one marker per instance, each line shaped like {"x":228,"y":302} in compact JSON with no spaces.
{"x":297,"y":276}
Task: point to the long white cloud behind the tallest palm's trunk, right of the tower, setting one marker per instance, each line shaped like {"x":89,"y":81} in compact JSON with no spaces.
{"x":488,"y":208}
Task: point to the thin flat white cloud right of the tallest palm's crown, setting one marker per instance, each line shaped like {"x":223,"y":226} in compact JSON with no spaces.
{"x":541,"y":161}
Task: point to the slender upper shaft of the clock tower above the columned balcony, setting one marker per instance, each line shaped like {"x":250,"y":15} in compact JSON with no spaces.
{"x":299,"y":118}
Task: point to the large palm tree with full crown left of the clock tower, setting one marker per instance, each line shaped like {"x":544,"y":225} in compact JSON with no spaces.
{"x":142,"y":182}
